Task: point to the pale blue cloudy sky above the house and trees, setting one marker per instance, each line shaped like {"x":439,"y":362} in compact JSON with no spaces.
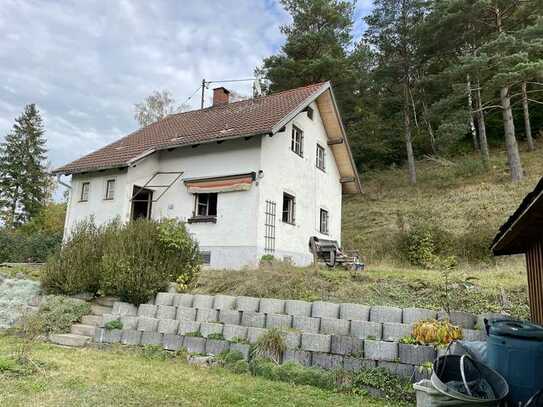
{"x":85,"y":63}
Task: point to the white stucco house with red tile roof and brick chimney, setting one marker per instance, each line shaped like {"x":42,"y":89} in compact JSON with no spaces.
{"x":254,"y":177}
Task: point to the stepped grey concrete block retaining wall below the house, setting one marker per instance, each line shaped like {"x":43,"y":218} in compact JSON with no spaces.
{"x":321,"y":334}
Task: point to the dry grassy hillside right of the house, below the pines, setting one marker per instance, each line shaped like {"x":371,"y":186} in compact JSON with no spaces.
{"x":460,"y":201}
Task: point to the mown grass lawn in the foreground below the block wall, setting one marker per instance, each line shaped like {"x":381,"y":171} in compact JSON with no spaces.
{"x":123,"y":377}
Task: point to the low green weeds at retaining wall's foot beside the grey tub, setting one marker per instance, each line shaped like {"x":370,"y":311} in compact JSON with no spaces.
{"x":392,"y":386}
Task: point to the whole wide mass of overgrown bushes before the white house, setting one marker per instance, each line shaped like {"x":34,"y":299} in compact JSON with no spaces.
{"x":132,"y":261}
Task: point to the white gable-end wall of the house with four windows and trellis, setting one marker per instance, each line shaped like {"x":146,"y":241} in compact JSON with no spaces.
{"x":285,"y":171}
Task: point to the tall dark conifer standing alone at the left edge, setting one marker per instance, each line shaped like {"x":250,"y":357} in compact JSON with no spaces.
{"x":24,"y":183}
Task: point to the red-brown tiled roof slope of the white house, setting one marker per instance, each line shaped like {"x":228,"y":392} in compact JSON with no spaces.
{"x":236,"y":119}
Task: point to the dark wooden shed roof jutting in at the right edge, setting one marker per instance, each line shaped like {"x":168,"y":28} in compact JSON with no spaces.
{"x":523,"y":227}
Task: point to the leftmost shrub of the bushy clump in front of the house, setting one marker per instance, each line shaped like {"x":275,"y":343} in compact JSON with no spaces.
{"x":77,"y":268}
